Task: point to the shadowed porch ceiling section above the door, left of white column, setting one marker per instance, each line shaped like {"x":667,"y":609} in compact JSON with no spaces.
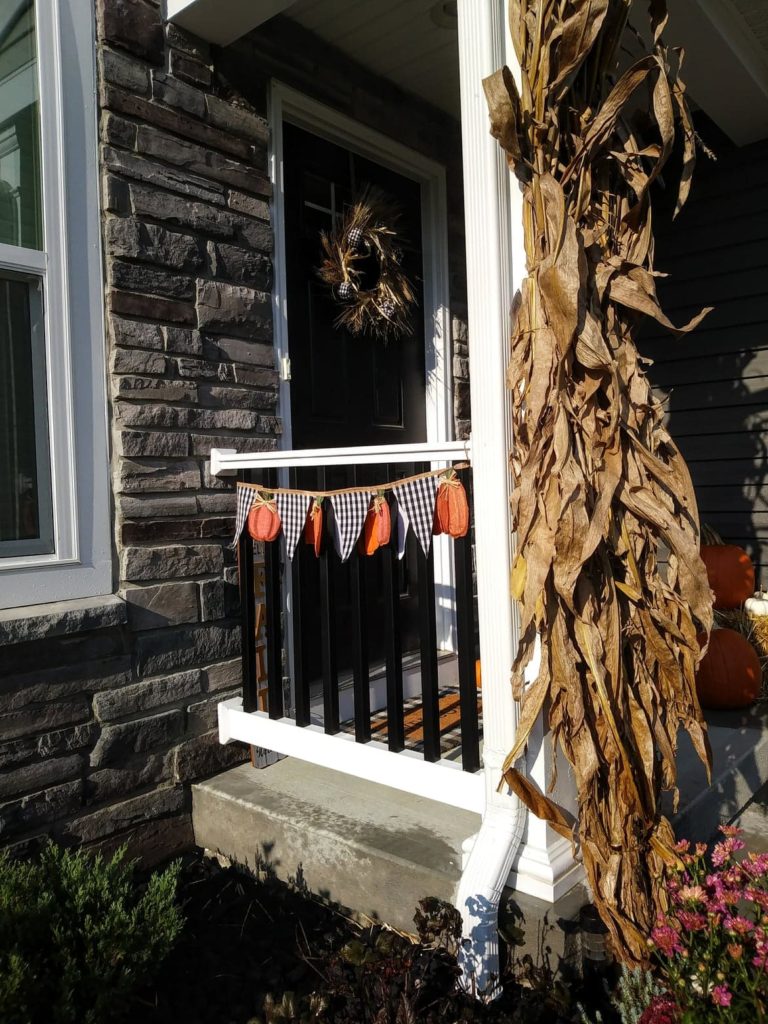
{"x":414,"y":44}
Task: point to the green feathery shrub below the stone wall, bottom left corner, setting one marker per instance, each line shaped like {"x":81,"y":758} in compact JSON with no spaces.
{"x":78,"y":935}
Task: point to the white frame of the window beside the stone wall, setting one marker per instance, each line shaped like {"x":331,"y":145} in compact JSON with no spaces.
{"x":70,"y":269}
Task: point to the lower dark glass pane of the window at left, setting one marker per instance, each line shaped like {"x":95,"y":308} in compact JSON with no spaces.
{"x":26,"y":509}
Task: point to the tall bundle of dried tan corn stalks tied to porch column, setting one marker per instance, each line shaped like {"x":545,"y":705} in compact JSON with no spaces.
{"x":600,"y":485}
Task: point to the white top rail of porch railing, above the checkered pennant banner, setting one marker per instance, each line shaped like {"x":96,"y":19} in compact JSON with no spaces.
{"x":227,"y":462}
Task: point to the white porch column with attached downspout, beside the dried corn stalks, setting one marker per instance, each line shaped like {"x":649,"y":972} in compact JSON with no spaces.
{"x":496,"y":266}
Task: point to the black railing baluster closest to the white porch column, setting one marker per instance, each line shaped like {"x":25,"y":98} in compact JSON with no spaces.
{"x":465,"y":626}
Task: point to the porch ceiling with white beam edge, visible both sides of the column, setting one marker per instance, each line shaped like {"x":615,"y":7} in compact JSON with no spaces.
{"x":414,"y":44}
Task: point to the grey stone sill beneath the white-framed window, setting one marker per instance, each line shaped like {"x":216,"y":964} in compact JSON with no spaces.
{"x":39,"y":622}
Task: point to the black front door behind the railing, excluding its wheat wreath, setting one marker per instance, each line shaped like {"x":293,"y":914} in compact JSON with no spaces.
{"x":348,"y":391}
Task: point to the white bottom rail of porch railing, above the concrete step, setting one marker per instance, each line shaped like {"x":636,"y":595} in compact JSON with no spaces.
{"x":443,"y":781}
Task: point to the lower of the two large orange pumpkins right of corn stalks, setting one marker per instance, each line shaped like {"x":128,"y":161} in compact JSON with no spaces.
{"x":730,"y":675}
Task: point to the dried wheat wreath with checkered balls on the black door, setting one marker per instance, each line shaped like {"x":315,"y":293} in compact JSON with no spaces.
{"x":363,"y":267}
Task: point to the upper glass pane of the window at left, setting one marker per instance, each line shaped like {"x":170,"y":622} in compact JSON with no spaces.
{"x":21,"y":194}
